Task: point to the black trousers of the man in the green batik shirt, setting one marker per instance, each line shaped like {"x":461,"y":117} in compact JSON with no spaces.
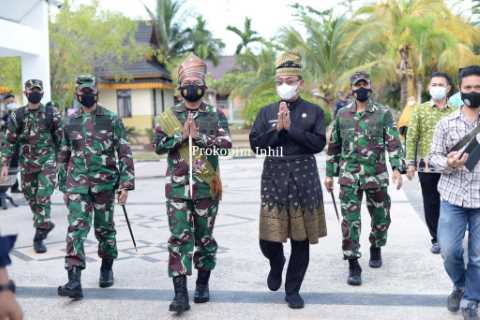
{"x":431,"y":201}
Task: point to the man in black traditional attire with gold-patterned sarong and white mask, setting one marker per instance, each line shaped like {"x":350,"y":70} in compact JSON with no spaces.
{"x":290,"y":132}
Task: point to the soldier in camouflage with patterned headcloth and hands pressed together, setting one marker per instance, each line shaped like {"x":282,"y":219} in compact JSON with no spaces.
{"x":191,"y":217}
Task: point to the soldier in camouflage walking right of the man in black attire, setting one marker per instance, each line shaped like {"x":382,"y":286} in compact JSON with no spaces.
{"x":361,"y":134}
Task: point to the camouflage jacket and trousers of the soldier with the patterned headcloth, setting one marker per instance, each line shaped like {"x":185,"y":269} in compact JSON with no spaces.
{"x":191,"y":219}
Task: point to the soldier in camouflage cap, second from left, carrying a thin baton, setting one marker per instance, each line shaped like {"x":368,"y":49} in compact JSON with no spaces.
{"x":95,"y":160}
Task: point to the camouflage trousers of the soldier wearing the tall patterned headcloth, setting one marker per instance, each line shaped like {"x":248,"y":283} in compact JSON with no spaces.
{"x":191,"y":225}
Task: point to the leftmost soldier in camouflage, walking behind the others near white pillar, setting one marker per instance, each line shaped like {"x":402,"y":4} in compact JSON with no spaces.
{"x":37,"y":131}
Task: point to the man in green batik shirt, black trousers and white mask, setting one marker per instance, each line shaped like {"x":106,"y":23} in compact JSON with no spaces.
{"x":421,"y":127}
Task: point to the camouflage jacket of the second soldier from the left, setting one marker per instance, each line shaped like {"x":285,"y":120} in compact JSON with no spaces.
{"x":95,"y":154}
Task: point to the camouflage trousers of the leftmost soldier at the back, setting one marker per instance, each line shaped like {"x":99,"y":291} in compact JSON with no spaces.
{"x":37,"y":188}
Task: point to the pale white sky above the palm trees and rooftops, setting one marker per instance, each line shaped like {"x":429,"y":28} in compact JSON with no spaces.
{"x":268,"y":16}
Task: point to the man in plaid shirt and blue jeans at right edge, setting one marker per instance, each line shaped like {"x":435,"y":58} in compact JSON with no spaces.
{"x":460,"y":193}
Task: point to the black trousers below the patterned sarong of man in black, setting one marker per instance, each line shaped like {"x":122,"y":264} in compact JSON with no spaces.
{"x":297,"y":265}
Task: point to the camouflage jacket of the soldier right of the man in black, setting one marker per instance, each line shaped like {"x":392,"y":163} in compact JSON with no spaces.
{"x":356,"y":150}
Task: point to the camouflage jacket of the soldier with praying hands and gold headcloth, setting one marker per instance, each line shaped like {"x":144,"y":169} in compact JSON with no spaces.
{"x":213,"y":135}
